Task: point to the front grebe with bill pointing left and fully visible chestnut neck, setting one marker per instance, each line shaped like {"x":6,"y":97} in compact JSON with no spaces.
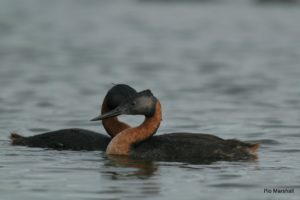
{"x":137,"y":142}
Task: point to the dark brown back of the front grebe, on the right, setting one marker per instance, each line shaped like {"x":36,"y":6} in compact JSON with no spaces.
{"x":191,"y":147}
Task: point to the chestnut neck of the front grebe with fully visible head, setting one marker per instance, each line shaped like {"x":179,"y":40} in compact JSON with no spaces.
{"x":121,"y":144}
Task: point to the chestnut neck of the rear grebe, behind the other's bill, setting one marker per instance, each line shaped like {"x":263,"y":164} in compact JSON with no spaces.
{"x":112,"y":125}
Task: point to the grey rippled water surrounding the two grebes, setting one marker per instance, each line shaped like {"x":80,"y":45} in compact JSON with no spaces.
{"x":230,"y":68}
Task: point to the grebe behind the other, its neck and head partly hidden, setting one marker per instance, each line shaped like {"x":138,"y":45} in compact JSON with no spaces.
{"x":81,"y":139}
